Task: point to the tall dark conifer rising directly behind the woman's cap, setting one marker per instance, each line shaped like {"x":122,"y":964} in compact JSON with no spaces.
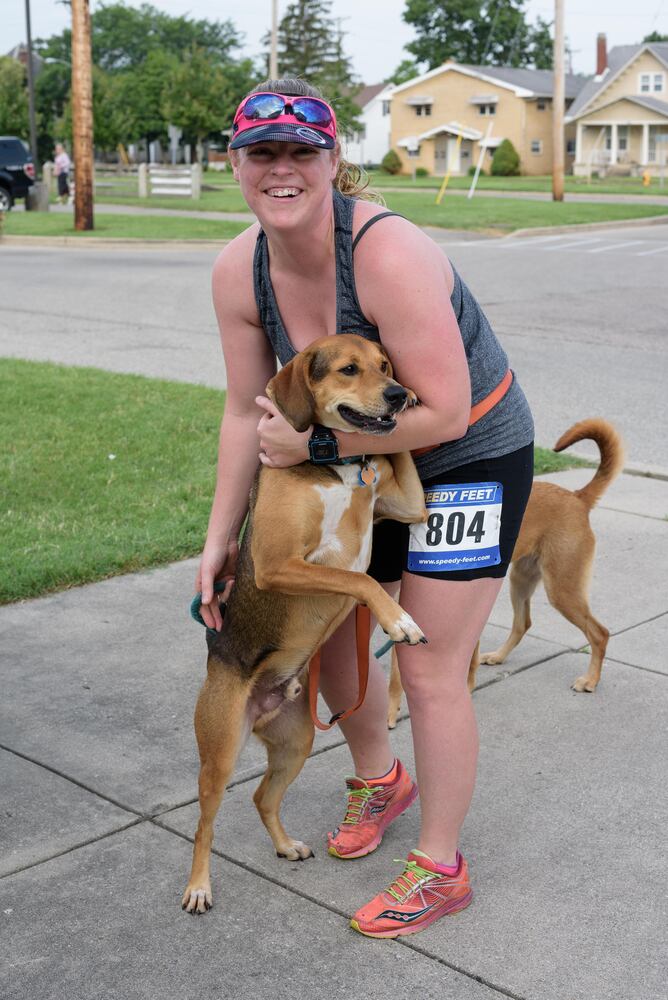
{"x":310,"y":46}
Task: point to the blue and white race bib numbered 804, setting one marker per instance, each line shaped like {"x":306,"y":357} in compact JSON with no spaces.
{"x":462,"y":529}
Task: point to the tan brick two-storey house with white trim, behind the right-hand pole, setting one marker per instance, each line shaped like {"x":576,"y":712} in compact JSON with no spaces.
{"x":483,"y":105}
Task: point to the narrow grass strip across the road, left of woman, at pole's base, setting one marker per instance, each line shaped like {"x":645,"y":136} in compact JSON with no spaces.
{"x":134,"y":227}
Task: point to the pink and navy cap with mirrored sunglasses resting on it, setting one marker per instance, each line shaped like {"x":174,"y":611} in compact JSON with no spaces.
{"x":270,"y":117}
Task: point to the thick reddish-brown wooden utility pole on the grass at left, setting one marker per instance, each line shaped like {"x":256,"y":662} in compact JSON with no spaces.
{"x":82,"y":115}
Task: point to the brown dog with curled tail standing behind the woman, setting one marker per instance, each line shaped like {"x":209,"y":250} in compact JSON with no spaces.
{"x":555,"y":544}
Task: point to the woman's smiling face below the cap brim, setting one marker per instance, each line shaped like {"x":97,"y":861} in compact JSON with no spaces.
{"x":285,"y":183}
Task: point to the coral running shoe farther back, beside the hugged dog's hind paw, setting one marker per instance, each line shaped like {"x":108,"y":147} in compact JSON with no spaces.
{"x":371,"y":808}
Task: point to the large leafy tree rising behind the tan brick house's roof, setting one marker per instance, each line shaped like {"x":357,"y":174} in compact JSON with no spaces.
{"x":478,"y":32}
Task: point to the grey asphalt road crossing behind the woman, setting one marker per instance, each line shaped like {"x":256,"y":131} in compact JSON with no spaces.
{"x":582,"y":316}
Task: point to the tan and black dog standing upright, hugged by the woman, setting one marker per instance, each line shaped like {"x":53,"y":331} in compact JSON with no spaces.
{"x":301,"y":569}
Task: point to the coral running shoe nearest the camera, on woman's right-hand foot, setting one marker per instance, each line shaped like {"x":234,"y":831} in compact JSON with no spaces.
{"x":418,"y":897}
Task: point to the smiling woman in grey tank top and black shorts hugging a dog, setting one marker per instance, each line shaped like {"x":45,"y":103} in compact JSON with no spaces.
{"x":317,"y":265}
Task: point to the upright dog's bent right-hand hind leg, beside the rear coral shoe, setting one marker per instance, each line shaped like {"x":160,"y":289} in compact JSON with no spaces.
{"x":288,"y":738}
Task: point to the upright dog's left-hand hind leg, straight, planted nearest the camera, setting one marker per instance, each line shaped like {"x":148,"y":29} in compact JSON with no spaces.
{"x":221,"y":725}
